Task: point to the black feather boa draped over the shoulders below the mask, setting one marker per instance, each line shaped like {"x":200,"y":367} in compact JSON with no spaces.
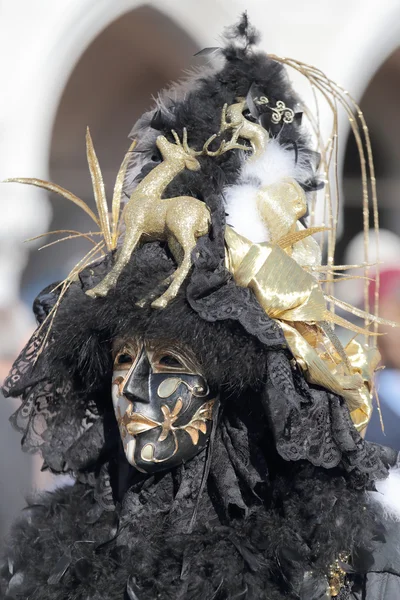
{"x":261,"y":528}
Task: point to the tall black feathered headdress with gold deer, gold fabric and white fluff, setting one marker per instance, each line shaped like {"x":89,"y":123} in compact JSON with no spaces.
{"x":238,"y":123}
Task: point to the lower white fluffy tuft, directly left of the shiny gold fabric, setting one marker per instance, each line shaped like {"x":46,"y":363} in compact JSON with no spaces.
{"x":243,"y":215}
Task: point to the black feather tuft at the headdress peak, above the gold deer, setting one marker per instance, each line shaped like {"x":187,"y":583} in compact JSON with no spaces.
{"x":197,"y":105}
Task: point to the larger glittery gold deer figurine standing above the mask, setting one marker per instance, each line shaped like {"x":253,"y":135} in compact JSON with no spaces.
{"x":148,"y":216}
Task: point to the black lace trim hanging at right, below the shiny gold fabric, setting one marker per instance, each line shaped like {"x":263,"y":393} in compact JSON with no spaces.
{"x":314,"y":425}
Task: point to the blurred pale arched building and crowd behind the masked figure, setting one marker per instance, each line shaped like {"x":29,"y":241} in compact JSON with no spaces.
{"x":74,"y":63}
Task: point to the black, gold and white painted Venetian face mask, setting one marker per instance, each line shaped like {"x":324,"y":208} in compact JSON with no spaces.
{"x":163,"y":404}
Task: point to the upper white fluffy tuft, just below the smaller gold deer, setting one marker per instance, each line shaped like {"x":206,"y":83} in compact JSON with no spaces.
{"x":276,"y":163}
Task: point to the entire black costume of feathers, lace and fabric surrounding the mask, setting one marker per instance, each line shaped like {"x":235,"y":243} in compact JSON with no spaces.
{"x":281,"y":491}
